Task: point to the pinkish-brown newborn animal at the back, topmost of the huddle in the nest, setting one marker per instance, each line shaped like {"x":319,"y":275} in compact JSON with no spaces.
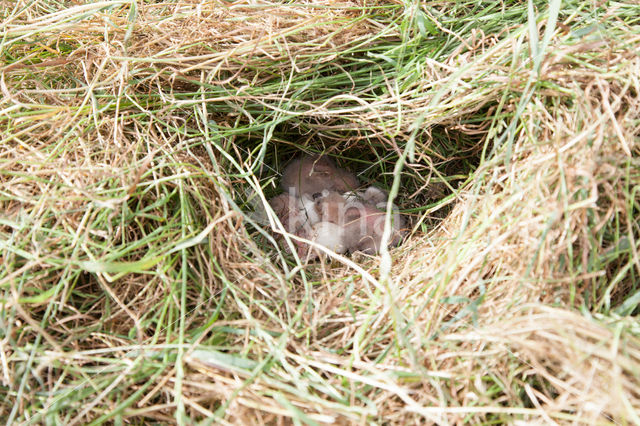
{"x":312,"y":174}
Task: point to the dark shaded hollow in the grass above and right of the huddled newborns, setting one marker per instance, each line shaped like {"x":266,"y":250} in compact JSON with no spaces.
{"x":444,"y":159}
